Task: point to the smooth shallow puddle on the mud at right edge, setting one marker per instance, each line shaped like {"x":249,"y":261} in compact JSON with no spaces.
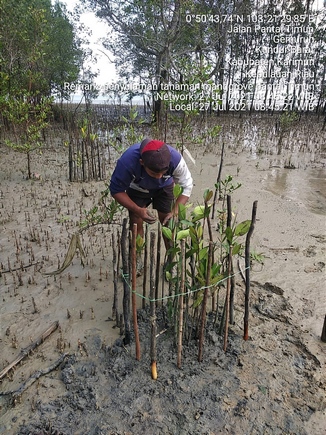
{"x":305,"y":187}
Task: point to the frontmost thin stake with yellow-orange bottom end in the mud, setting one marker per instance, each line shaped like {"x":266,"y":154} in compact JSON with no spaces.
{"x":152,"y":306}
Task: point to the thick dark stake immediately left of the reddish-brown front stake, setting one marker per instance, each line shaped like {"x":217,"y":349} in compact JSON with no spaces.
{"x":126,"y":281}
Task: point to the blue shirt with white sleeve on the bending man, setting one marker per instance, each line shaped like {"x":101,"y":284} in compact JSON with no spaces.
{"x":130,"y":173}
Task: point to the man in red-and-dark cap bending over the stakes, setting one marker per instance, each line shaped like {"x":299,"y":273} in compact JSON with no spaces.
{"x":145,"y":174}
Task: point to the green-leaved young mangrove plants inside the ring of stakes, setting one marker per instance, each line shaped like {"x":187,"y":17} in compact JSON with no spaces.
{"x":209,"y":263}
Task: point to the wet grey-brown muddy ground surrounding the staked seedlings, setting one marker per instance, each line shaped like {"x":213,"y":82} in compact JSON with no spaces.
{"x":88,"y":382}
